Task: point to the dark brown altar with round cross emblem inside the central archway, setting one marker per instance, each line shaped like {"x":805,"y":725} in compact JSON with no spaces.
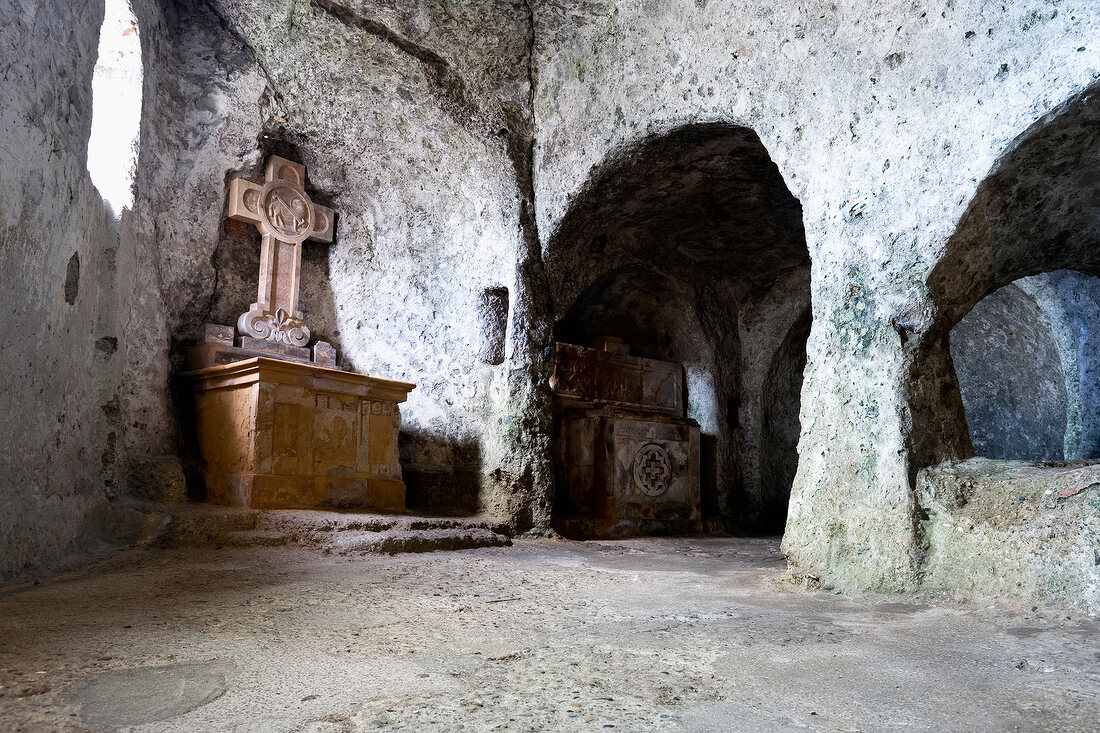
{"x":629,"y":460}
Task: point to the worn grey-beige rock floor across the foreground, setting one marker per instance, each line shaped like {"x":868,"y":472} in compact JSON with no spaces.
{"x":637,"y":636}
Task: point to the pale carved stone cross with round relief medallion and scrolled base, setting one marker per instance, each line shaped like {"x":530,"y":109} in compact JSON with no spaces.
{"x":287,"y":218}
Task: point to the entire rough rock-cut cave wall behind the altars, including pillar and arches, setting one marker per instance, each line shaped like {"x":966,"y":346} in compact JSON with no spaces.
{"x":895,"y":163}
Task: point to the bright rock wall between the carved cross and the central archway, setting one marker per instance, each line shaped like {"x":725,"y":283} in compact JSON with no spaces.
{"x":413,"y":126}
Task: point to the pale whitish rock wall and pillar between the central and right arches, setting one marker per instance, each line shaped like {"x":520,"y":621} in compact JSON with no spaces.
{"x":883,"y":122}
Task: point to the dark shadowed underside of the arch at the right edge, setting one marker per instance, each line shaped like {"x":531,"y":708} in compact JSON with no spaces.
{"x":1037,"y":213}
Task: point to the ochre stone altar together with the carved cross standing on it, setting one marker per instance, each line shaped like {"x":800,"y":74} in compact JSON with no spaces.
{"x":279,"y":425}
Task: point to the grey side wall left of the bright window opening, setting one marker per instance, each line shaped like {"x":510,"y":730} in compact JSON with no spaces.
{"x":57,"y":336}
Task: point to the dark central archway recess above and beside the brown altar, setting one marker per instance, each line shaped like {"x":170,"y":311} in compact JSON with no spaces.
{"x":690,"y":247}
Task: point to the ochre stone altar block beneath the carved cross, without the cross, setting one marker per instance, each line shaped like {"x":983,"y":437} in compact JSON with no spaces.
{"x":278,"y":434}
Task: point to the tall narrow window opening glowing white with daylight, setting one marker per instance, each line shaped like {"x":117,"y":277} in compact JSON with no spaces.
{"x":116,"y":107}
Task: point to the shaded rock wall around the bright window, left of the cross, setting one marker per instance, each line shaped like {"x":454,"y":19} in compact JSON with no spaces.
{"x":90,"y":411}
